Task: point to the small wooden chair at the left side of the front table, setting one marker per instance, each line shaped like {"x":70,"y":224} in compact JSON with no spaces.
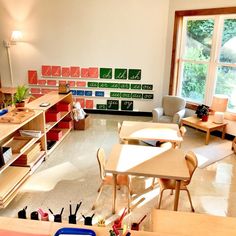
{"x":108,"y":179}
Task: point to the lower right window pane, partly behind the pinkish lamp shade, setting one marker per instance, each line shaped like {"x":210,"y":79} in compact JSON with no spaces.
{"x":226,"y":84}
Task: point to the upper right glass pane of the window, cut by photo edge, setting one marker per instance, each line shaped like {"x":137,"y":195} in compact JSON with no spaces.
{"x":228,"y":44}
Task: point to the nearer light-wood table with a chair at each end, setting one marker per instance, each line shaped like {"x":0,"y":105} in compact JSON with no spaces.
{"x":147,"y":161}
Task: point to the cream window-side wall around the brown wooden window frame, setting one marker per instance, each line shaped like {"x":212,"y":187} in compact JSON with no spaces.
{"x":176,"y":5}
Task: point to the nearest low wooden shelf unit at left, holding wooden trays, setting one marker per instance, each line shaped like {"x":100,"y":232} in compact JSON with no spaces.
{"x":11,"y":176}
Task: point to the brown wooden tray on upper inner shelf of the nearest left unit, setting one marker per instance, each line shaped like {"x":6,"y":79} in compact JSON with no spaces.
{"x":18,"y":144}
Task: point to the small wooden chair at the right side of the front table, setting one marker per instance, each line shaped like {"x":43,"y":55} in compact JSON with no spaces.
{"x":164,"y":184}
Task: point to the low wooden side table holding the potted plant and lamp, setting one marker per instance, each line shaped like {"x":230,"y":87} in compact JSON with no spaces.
{"x":207,"y":126}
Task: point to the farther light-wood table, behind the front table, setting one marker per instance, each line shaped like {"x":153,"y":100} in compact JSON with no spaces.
{"x":150,"y":131}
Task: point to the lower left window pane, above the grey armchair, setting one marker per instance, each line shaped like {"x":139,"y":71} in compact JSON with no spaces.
{"x":194,"y":82}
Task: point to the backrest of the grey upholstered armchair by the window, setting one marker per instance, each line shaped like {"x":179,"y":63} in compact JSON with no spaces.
{"x":172,"y":104}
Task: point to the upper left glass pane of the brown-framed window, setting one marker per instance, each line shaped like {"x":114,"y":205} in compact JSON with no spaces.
{"x":199,"y":39}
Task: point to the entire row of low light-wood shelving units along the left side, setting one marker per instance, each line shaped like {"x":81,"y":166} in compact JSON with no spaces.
{"x":13,"y":176}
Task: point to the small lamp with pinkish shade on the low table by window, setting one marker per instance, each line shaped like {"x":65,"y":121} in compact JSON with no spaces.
{"x":219,"y":106}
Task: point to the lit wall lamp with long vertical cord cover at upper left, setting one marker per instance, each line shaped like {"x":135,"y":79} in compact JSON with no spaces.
{"x":16,"y":36}
